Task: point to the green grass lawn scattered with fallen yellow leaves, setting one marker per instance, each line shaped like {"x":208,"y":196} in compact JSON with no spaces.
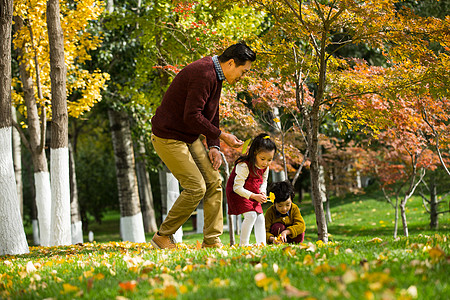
{"x":361,"y":261}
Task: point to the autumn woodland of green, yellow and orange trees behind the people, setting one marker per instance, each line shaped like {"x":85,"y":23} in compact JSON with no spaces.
{"x":353,"y":93}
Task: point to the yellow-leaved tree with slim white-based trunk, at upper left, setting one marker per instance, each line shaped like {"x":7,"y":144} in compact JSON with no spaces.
{"x":31,"y":43}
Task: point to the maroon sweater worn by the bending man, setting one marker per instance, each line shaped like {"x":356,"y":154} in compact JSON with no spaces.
{"x":190,"y":106}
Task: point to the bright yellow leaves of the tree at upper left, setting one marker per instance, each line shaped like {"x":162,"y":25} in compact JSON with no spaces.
{"x":83,"y":87}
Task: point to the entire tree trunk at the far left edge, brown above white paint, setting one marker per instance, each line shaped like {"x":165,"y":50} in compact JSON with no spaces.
{"x":12,"y":235}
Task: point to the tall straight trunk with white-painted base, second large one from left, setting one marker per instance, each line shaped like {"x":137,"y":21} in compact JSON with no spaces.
{"x":59,"y":151}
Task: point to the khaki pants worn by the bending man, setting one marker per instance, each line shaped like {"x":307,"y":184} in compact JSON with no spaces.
{"x":190,"y":165}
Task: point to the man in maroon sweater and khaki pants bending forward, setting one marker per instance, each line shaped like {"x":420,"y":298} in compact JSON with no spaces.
{"x":190,"y":108}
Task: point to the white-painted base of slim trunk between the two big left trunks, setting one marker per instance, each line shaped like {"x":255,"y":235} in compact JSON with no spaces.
{"x":44,"y":206}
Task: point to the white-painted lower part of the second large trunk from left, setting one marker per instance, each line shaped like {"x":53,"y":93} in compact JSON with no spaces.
{"x":60,"y":186}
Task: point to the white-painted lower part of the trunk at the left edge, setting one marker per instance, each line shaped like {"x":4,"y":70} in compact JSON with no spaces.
{"x":12,"y":235}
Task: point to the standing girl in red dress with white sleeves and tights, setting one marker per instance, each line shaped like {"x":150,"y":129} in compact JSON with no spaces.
{"x":246,"y":187}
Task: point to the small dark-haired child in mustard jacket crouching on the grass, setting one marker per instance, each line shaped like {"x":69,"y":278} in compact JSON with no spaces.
{"x":284,"y":223}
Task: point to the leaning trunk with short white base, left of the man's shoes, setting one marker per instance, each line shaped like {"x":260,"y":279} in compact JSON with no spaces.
{"x":131,"y":224}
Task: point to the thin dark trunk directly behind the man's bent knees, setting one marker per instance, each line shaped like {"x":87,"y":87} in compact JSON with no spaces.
{"x":145,"y":191}
